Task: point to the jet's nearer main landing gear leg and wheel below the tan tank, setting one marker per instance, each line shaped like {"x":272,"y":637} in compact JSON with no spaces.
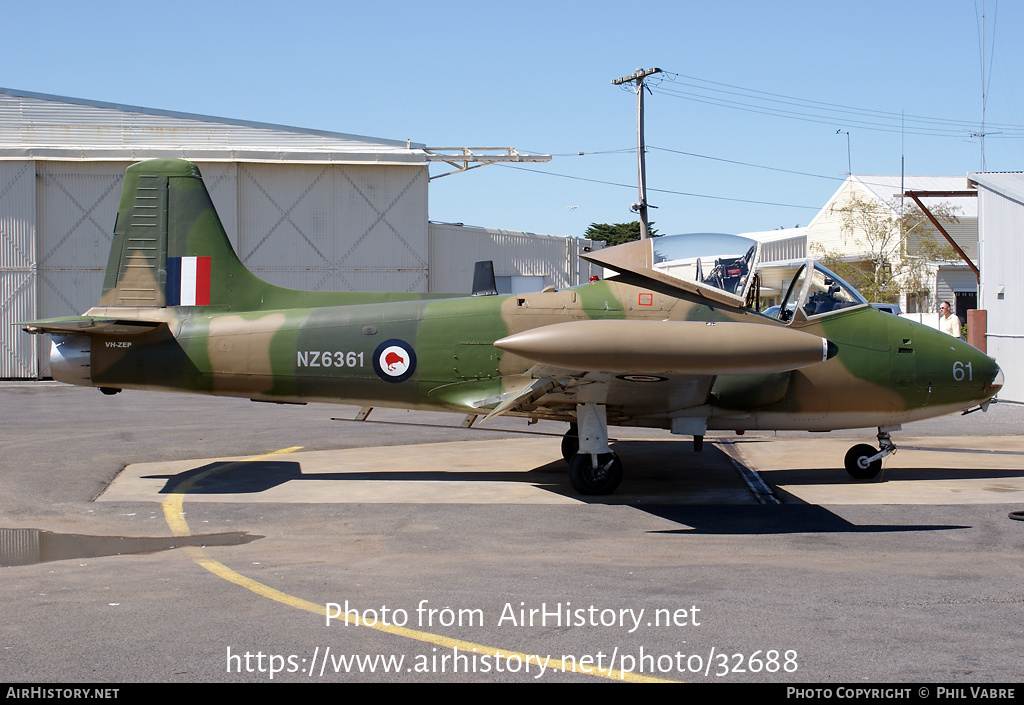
{"x":594,"y":470}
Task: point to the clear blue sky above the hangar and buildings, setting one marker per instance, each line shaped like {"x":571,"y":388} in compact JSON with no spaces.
{"x":537,"y":76}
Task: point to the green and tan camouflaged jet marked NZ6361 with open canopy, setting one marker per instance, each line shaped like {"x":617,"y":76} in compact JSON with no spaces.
{"x":672,"y":342}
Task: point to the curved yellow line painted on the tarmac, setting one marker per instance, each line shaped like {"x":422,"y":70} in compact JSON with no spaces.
{"x":174,"y":509}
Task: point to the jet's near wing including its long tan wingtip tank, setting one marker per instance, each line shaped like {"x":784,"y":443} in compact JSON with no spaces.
{"x":643,"y":368}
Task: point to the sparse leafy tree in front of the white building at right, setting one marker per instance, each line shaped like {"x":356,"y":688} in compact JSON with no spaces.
{"x":897,"y":244}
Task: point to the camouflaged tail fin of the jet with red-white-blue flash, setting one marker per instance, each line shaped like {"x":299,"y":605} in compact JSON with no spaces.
{"x":169,"y":246}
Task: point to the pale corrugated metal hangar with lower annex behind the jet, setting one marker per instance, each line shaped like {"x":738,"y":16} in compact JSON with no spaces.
{"x":305,"y":209}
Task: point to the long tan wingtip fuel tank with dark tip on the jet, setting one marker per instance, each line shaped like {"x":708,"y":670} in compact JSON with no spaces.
{"x":670,"y":348}
